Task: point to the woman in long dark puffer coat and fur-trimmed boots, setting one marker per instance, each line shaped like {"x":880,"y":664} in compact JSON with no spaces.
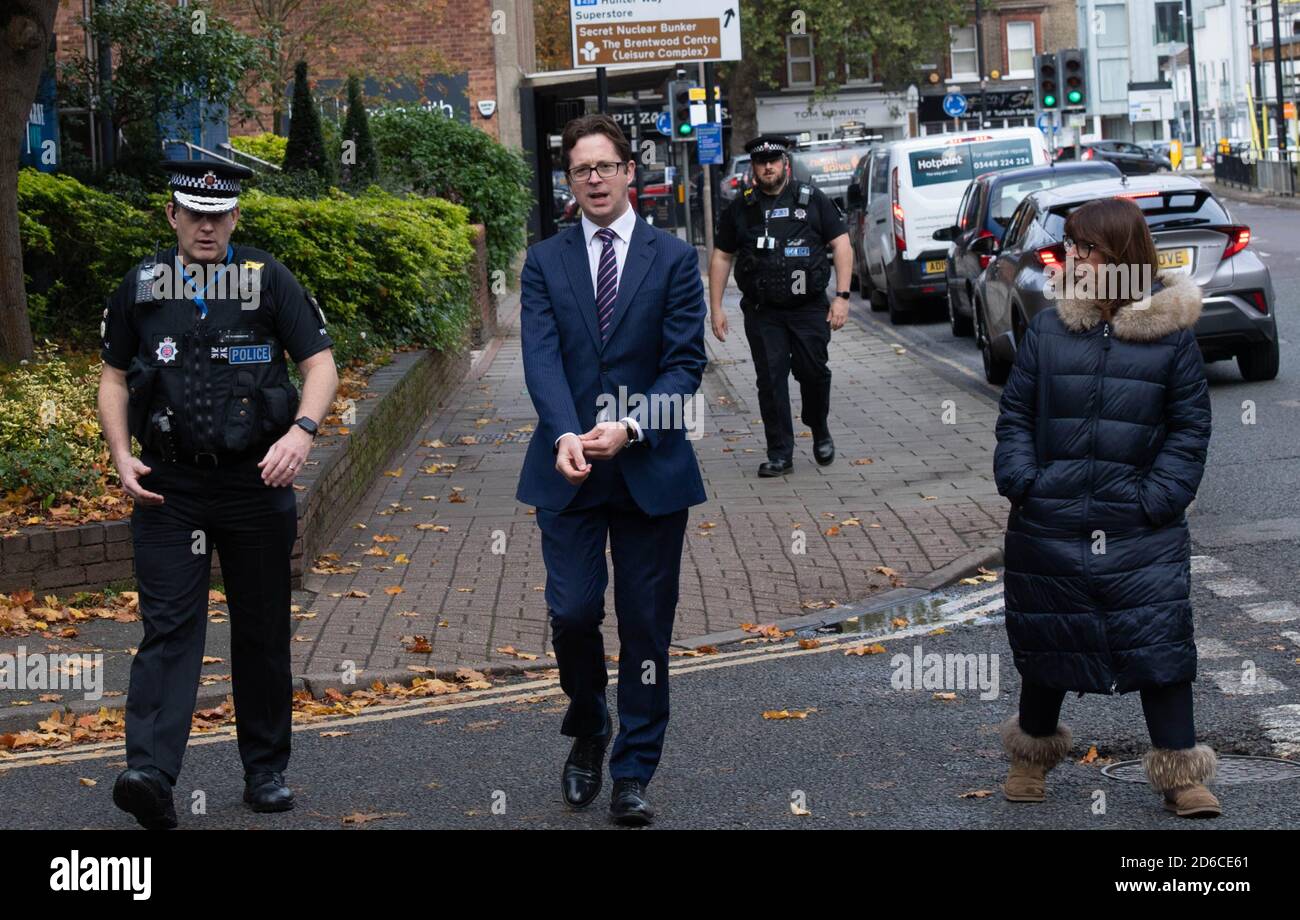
{"x":1102,"y":444}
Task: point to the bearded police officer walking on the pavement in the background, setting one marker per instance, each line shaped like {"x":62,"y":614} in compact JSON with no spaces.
{"x":782,"y":235}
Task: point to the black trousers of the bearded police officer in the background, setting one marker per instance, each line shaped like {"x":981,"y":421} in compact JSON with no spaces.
{"x":785,"y":341}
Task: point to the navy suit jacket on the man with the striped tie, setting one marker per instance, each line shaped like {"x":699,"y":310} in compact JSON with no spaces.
{"x":656,"y":348}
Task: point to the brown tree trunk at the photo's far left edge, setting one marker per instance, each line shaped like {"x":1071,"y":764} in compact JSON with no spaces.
{"x":25,"y":31}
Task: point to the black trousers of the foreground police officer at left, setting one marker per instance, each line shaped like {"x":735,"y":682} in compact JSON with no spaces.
{"x":253,"y":528}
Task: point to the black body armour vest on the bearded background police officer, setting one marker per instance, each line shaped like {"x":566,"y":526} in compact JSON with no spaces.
{"x":783,"y":259}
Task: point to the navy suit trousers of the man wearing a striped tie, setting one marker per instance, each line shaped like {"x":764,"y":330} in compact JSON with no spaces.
{"x":647,"y":556}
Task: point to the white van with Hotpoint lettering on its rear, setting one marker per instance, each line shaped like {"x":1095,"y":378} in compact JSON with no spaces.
{"x":913,"y":188}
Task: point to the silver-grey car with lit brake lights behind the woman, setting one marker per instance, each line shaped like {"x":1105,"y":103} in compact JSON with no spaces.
{"x":1194,"y":235}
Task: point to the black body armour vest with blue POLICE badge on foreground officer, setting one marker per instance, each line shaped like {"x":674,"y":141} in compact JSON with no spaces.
{"x":223,"y":375}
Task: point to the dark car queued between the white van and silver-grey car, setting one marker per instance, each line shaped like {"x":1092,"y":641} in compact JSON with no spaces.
{"x":986,"y":211}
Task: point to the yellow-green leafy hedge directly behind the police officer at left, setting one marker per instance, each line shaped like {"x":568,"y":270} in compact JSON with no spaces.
{"x":385,"y":270}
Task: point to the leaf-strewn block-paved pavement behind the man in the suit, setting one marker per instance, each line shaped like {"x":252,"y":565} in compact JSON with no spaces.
{"x":473,"y":583}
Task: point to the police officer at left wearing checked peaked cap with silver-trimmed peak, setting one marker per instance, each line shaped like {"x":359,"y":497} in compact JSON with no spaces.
{"x":194,"y":370}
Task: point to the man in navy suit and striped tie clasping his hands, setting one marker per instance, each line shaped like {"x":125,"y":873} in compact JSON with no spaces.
{"x":613,"y":324}
